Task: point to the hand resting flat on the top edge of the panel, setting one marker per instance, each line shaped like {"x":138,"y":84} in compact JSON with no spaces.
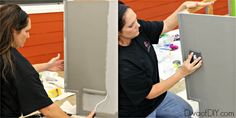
{"x":194,"y":6}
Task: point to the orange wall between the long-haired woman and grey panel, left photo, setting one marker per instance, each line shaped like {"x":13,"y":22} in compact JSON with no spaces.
{"x":46,"y":37}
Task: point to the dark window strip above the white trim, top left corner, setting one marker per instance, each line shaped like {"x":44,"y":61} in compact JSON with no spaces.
{"x":29,"y":1}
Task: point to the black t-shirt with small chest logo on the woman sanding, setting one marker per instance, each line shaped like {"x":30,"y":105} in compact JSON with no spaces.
{"x":138,"y":72}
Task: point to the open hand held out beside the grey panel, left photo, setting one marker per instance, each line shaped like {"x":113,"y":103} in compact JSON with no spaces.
{"x":55,"y":64}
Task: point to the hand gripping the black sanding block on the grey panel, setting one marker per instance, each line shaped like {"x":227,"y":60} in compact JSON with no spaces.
{"x":187,"y":67}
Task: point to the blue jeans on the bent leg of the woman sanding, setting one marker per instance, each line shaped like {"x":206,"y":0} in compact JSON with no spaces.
{"x":172,"y":107}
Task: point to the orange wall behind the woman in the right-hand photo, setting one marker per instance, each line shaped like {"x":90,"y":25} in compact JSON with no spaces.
{"x":160,"y":9}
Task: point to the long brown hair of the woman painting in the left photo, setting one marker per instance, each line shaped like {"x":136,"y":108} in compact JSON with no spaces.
{"x":12,"y":18}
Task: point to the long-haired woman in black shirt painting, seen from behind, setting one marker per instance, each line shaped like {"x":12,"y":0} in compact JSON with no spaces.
{"x":21,"y":90}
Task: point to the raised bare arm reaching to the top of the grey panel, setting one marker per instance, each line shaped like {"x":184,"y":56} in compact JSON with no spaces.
{"x":189,"y":6}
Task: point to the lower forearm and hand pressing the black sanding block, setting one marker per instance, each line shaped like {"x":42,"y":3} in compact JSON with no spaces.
{"x":186,"y":69}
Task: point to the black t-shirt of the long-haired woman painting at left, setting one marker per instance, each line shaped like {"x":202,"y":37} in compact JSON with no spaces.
{"x":22,"y":92}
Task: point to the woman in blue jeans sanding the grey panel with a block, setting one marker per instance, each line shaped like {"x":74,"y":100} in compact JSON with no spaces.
{"x":141,"y":94}
